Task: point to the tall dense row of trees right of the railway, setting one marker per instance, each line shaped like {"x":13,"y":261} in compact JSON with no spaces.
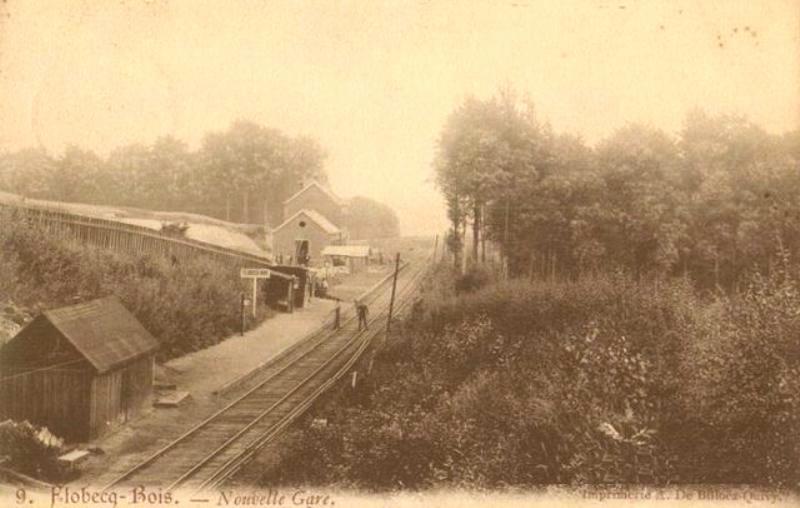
{"x":718,"y":200}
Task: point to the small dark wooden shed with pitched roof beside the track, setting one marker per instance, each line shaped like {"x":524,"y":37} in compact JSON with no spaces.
{"x":79,"y":370}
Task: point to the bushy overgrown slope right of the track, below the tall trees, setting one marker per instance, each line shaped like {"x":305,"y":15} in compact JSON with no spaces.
{"x":601,"y":380}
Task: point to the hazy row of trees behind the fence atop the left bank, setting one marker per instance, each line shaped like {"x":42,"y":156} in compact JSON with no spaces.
{"x":242,"y":174}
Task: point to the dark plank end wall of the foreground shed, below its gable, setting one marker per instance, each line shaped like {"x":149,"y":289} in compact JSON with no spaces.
{"x":56,"y":398}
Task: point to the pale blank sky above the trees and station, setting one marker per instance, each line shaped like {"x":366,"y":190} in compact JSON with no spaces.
{"x":374,"y":81}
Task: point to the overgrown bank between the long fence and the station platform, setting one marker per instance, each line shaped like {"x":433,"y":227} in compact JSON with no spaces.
{"x":187,"y":306}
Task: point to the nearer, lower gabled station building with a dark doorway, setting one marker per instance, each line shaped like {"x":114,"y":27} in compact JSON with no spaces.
{"x":302,"y":235}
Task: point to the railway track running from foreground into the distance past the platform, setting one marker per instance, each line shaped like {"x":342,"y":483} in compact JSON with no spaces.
{"x":209,"y":453}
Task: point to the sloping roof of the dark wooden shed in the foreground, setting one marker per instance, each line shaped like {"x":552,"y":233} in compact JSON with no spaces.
{"x":103,"y":331}
